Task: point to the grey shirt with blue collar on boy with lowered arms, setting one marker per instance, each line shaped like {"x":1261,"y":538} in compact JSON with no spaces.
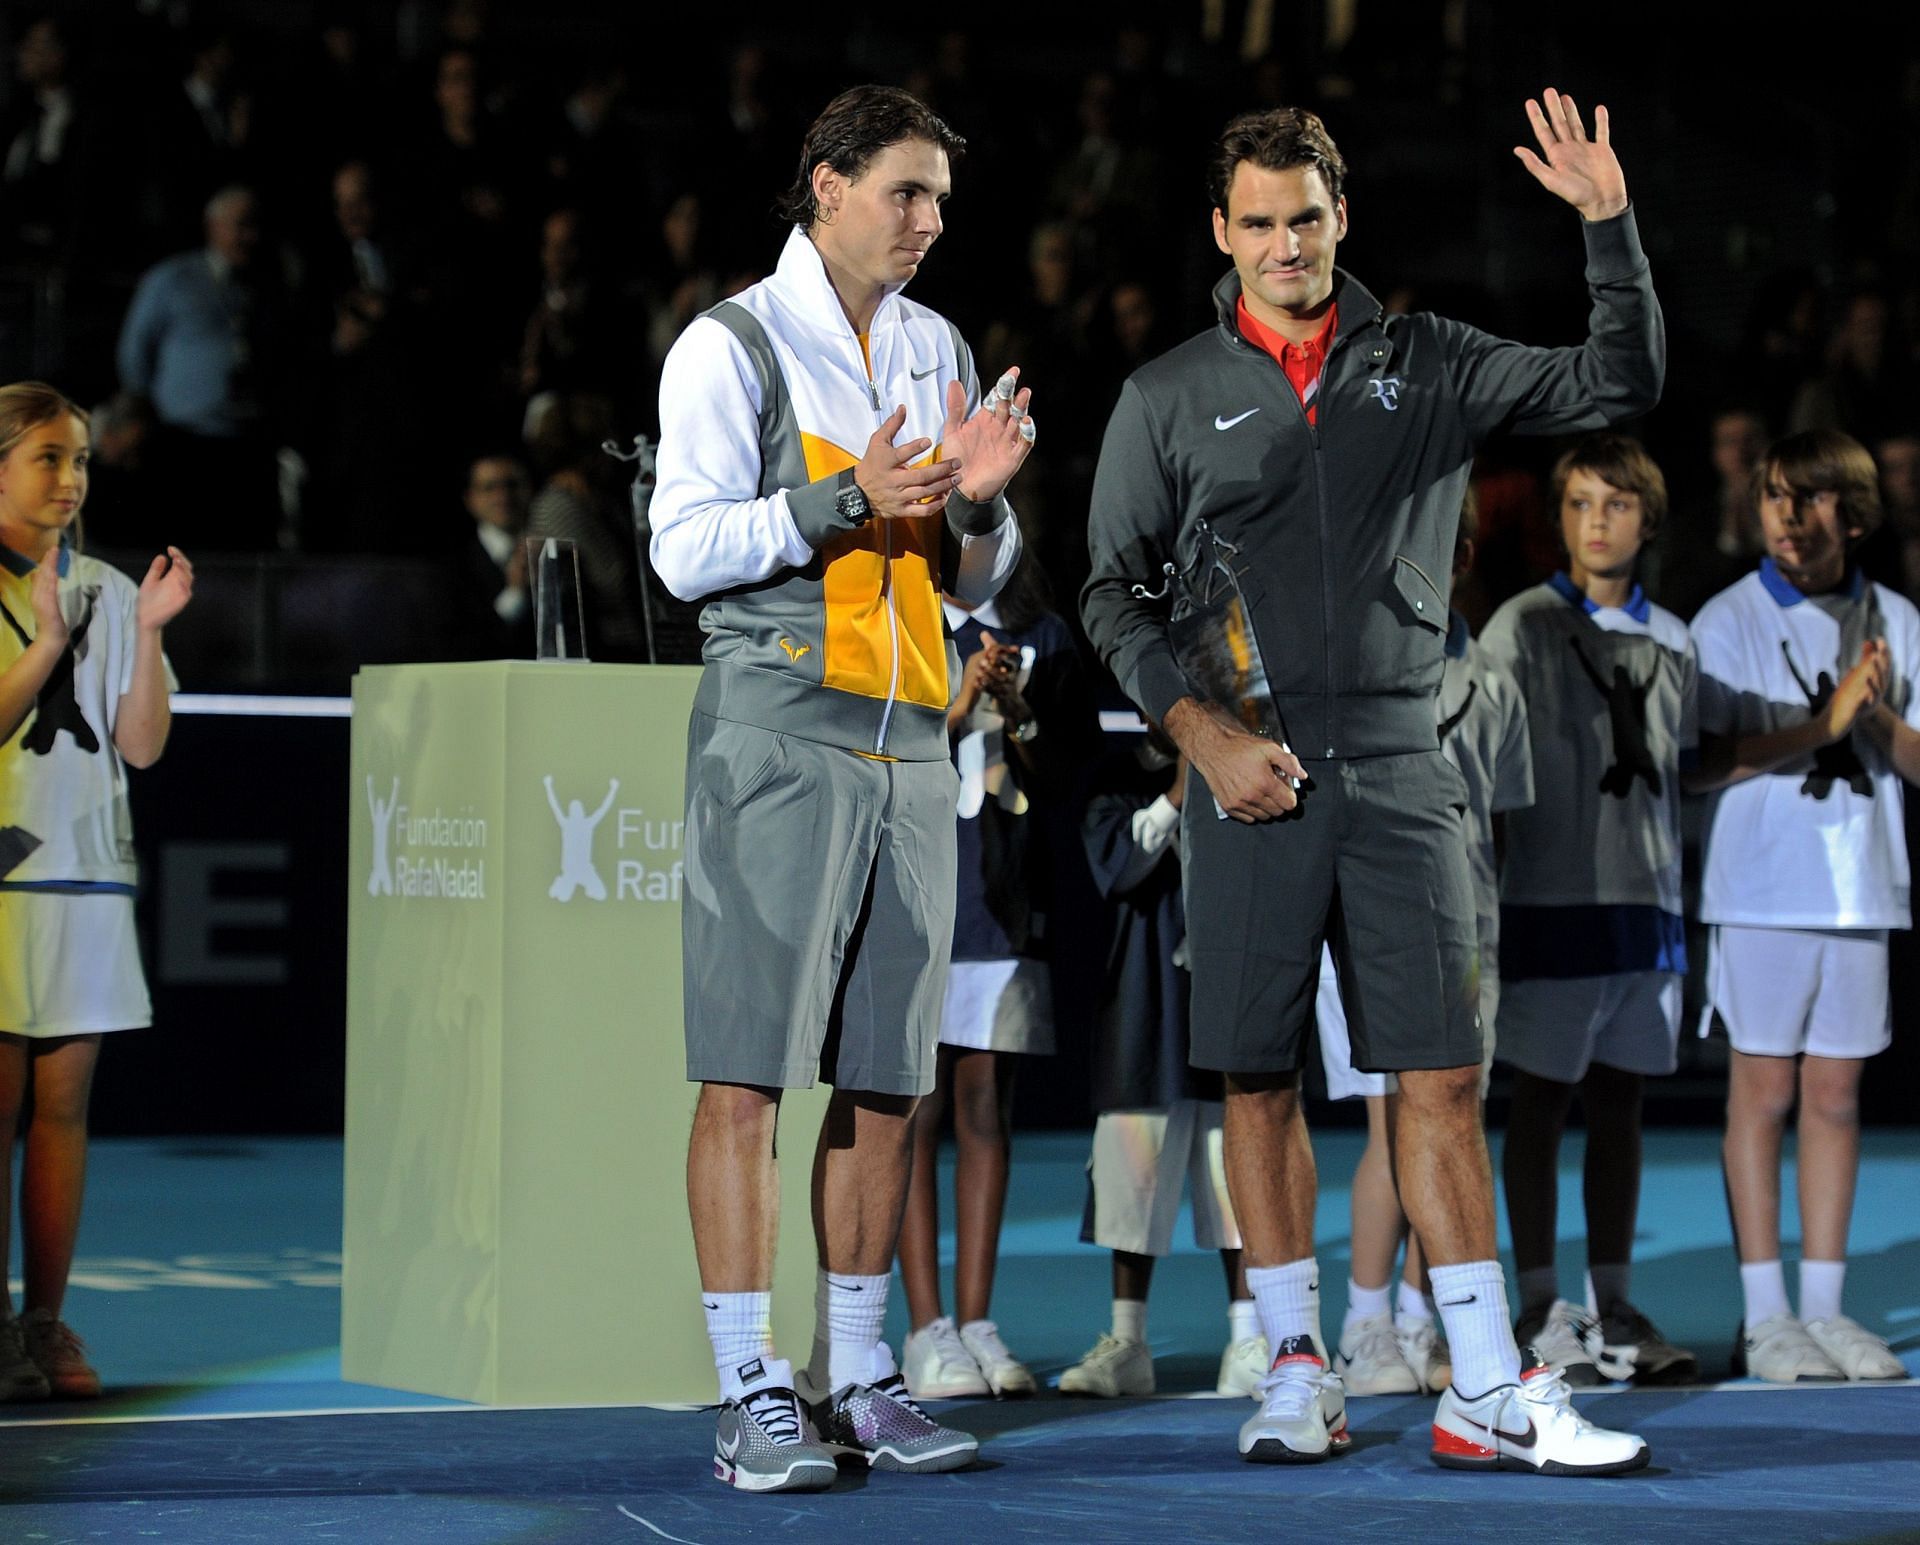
{"x":1591,"y":884}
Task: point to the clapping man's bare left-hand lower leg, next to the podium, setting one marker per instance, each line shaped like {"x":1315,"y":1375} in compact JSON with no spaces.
{"x":734,"y":1187}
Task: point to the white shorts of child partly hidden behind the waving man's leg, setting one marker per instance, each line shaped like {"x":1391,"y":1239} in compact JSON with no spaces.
{"x":1140,"y":1162}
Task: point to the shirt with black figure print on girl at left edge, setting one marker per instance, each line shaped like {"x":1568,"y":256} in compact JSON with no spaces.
{"x":64,"y":817}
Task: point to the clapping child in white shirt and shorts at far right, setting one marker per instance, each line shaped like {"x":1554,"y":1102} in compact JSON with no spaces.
{"x":1808,"y":742}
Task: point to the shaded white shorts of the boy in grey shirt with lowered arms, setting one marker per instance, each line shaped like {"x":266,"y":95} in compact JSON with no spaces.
{"x":1556,"y":1028}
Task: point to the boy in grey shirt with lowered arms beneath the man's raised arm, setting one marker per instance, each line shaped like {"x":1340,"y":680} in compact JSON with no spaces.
{"x":1593,"y":943}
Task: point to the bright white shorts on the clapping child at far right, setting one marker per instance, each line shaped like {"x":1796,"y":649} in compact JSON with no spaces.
{"x":1790,"y":991}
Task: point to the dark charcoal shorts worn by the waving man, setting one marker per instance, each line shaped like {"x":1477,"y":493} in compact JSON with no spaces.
{"x":1376,"y":865}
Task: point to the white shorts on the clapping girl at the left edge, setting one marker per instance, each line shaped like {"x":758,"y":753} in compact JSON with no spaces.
{"x":70,"y":966}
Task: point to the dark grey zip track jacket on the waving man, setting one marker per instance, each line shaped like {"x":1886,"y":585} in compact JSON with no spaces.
{"x":1345,"y":531}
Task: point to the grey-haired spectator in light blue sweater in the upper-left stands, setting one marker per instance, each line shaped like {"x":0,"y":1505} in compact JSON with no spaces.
{"x":206,"y":345}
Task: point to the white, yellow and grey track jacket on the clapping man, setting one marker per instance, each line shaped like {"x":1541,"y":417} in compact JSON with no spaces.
{"x":813,"y":627}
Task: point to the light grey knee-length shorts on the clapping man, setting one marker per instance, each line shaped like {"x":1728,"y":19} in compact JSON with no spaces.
{"x":819,"y":913}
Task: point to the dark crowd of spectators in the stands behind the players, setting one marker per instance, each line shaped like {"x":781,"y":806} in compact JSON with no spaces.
{"x":318,"y":277}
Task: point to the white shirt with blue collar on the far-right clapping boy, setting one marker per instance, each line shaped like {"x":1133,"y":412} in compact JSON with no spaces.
{"x":1819,"y":844}
